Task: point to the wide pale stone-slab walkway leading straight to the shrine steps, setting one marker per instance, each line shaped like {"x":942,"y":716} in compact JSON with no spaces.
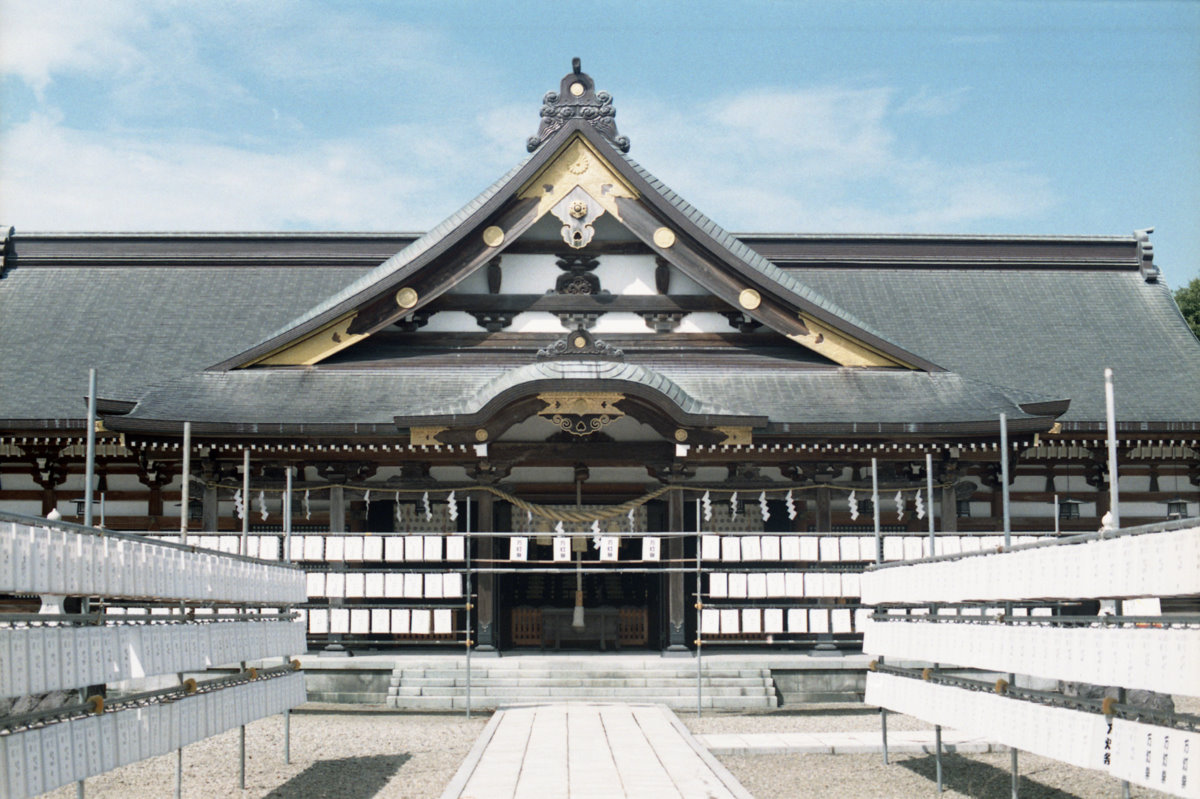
{"x":579,"y":750}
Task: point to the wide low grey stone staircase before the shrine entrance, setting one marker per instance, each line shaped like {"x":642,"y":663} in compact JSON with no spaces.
{"x":495,"y":683}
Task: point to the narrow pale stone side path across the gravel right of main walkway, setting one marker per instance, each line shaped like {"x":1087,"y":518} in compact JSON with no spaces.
{"x":901,"y":742}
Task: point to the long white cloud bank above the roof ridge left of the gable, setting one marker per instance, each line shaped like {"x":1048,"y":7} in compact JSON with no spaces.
{"x":57,"y":178}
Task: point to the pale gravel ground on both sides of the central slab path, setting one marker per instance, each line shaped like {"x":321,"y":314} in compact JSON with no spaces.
{"x":412,"y":756}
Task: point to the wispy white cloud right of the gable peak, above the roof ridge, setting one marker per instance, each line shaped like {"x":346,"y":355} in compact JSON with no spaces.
{"x":827,"y":160}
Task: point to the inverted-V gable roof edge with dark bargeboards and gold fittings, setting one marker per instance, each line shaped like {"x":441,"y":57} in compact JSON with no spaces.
{"x":577,"y":155}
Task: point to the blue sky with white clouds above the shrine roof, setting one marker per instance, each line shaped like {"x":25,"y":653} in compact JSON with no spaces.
{"x":1076,"y":118}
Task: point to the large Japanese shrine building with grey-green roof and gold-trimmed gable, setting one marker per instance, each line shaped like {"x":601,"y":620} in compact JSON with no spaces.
{"x":579,"y":353}
